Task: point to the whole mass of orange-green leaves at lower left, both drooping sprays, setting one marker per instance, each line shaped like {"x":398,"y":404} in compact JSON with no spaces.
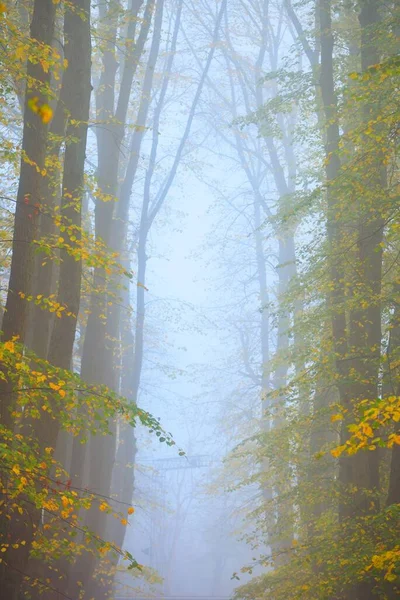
{"x":32,"y":479}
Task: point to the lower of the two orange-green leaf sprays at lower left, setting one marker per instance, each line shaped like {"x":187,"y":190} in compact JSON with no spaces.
{"x":32,"y":479}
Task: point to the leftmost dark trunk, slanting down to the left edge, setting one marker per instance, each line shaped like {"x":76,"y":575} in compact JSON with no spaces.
{"x":26,"y":221}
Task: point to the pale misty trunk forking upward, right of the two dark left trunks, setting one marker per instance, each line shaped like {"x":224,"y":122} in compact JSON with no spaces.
{"x":109,"y":140}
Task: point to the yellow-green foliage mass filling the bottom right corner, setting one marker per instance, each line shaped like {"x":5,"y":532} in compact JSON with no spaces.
{"x":327,"y":564}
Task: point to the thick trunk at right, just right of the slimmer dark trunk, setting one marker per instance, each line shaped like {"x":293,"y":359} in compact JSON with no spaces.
{"x":366,"y":323}
